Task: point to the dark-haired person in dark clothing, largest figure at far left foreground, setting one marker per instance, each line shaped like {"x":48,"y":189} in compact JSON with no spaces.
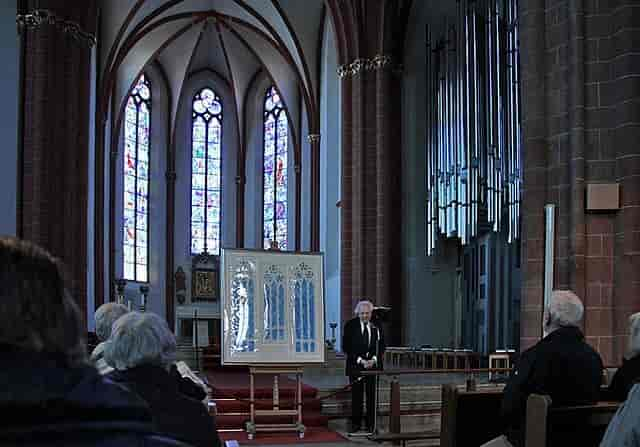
{"x":50,"y":395}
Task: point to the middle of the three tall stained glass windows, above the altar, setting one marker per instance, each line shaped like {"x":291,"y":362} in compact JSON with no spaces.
{"x":206,"y":157}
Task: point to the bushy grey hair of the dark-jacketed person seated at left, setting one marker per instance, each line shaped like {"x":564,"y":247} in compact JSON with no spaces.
{"x":140,"y":339}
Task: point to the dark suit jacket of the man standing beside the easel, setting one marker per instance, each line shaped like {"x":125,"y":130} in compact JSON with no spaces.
{"x":354,"y":344}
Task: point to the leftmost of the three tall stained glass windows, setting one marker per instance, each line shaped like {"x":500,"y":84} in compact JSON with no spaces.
{"x":136,"y":183}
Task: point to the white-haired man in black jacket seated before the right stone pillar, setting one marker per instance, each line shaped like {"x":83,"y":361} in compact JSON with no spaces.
{"x":561,"y":365}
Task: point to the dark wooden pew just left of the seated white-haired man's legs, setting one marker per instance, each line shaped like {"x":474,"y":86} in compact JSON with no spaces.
{"x":469,"y":418}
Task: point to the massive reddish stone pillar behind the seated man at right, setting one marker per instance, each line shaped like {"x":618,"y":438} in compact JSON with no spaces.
{"x":581,"y":124}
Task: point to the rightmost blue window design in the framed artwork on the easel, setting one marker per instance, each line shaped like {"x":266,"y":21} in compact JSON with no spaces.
{"x":304,"y":309}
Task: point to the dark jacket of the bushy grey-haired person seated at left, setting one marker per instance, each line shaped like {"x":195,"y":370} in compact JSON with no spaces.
{"x":174,"y":414}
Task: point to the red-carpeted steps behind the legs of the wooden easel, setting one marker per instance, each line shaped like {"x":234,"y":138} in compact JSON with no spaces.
{"x":231,"y":394}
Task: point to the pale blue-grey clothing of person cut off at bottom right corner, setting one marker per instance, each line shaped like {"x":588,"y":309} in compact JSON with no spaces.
{"x":624,"y":428}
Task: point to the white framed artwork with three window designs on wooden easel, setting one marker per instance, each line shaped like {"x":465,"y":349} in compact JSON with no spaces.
{"x":272,"y":307}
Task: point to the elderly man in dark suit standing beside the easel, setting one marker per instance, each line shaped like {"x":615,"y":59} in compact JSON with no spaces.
{"x":363,"y":343}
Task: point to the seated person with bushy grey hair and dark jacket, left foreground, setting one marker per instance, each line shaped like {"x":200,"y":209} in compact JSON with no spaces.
{"x":142,"y":350}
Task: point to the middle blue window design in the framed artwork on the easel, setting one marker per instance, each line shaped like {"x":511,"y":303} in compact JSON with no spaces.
{"x":274,"y":308}
